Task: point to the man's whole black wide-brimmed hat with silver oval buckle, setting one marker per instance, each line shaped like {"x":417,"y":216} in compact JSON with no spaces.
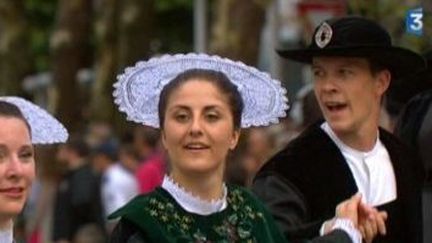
{"x":355,"y":36}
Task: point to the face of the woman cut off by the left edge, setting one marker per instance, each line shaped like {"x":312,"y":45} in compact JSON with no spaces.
{"x":17,"y":166}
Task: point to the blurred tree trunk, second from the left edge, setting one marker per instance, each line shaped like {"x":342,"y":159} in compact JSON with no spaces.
{"x":69,"y":51}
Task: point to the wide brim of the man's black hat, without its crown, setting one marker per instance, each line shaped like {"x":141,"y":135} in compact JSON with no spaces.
{"x":401,"y":62}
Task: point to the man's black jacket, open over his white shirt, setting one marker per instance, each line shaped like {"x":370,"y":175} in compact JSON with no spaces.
{"x":303,"y":183}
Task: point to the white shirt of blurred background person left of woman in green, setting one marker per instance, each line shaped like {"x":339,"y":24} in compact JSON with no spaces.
{"x":118,"y":186}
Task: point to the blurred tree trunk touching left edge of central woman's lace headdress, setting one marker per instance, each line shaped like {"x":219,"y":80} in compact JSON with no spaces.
{"x":124,"y":34}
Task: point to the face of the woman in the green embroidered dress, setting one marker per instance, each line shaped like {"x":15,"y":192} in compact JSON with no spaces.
{"x":198,"y":130}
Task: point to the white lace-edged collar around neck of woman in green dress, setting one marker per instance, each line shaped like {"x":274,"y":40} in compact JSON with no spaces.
{"x":192,"y":203}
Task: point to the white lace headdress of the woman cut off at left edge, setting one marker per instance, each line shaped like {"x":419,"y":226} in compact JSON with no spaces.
{"x":45,"y":129}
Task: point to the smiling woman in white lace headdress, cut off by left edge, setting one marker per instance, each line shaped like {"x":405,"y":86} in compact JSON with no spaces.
{"x":22,"y":125}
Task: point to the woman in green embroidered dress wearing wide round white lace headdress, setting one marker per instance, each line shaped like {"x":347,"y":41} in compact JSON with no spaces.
{"x":200,"y":103}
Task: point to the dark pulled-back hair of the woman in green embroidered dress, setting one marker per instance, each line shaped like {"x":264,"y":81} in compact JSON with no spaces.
{"x":219,"y":79}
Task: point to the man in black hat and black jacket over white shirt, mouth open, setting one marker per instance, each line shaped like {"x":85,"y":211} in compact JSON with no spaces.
{"x":353,"y":63}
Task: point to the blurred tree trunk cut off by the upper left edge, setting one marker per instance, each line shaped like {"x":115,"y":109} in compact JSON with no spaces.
{"x":15,"y":59}
